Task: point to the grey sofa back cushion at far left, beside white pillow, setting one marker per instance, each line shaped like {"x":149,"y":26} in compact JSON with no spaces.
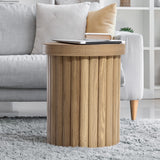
{"x":17,"y":29}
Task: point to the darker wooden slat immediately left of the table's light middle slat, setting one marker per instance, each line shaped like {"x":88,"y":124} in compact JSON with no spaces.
{"x":75,"y":94}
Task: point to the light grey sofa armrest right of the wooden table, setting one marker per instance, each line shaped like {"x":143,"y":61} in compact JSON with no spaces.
{"x":132,"y":63}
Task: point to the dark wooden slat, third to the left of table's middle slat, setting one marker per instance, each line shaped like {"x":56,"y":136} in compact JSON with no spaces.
{"x":58,"y":100}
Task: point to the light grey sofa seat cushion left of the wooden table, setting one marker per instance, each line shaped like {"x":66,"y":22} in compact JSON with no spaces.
{"x":23,"y":71}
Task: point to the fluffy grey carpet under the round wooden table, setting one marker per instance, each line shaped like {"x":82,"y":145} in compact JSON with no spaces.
{"x":25,"y":139}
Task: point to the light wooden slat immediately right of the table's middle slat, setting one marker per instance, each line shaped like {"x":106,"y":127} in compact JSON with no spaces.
{"x":93,"y":101}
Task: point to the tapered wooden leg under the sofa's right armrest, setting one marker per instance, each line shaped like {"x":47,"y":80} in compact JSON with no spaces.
{"x":134,"y":107}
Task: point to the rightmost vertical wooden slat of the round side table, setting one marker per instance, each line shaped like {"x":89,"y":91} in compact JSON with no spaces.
{"x":115,"y":99}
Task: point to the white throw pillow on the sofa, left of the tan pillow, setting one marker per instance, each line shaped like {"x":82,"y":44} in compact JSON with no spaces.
{"x":59,"y":22}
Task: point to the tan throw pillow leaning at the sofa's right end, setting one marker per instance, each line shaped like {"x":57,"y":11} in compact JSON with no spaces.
{"x":103,"y":20}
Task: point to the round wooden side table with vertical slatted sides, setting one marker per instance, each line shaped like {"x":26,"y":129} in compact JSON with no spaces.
{"x":83,"y":94}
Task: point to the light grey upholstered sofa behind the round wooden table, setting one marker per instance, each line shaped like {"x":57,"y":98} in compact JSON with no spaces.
{"x":23,"y":76}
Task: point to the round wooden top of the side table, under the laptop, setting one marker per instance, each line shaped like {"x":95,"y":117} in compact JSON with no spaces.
{"x":64,"y":49}
